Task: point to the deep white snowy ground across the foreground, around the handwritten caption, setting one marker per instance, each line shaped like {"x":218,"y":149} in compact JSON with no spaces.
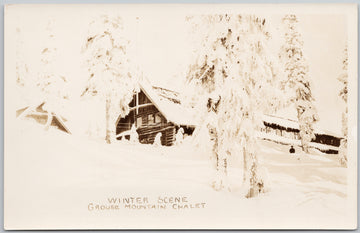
{"x":51,"y":177}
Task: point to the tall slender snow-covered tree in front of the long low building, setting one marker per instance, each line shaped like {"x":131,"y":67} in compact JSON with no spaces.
{"x":298,"y":81}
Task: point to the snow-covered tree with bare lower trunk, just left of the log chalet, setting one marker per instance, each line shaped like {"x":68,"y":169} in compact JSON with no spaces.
{"x":109,"y":69}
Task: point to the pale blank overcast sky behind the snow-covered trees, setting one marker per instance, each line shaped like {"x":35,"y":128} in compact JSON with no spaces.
{"x":162,"y":49}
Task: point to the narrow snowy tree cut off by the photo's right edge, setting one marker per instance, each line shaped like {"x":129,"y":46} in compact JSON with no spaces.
{"x":343,"y":78}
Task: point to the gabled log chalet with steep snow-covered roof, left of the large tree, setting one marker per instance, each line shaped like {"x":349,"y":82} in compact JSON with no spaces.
{"x":156,"y":110}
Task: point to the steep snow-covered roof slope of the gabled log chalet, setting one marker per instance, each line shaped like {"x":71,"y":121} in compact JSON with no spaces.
{"x":168,"y":103}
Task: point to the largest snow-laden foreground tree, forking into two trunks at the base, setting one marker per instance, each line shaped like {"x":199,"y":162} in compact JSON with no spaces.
{"x":238,"y":73}
